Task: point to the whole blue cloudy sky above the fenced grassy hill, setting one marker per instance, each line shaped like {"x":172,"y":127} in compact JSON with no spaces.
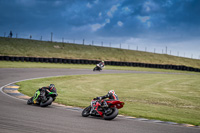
{"x":171,"y":26}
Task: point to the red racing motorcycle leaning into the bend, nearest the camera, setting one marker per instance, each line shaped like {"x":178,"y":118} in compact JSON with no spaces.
{"x":108,"y":112}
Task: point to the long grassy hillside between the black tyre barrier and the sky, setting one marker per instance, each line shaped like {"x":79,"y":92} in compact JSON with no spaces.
{"x":34,"y":48}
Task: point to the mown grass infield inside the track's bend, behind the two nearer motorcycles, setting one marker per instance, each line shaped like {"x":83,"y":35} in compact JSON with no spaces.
{"x":167,"y":97}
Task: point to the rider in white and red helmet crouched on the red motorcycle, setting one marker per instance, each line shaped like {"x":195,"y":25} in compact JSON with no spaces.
{"x":111,"y":96}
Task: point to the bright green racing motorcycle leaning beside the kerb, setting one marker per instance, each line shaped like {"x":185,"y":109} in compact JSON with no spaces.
{"x":42,"y":98}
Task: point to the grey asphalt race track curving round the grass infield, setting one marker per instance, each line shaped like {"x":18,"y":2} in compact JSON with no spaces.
{"x":18,"y":117}
